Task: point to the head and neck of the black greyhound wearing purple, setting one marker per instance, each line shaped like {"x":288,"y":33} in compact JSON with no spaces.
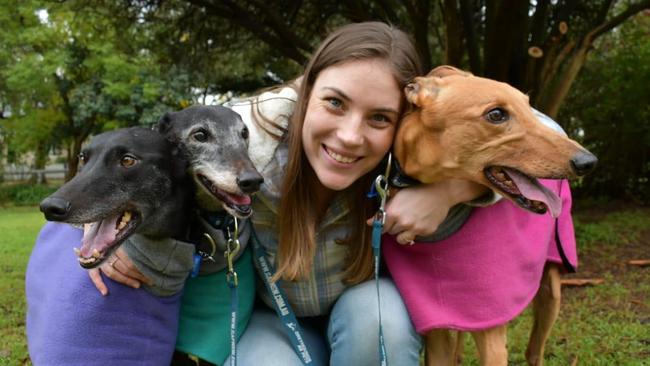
{"x":130,"y":180}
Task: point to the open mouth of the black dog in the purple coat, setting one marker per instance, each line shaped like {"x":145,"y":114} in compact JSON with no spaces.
{"x":102,"y":237}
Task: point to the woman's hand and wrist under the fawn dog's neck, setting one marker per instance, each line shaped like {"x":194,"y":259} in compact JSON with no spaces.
{"x":419,"y":210}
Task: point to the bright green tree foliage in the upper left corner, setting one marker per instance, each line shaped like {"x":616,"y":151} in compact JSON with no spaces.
{"x":76,"y":74}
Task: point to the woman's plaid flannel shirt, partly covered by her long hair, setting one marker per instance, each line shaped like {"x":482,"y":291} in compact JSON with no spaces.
{"x":316,"y":294}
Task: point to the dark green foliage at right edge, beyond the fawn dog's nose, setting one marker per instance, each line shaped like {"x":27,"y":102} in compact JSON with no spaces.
{"x":609,"y":105}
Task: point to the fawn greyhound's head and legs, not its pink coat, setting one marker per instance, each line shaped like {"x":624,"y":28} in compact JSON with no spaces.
{"x":472,"y":128}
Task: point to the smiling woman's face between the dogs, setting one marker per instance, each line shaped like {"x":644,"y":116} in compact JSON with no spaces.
{"x":350,"y":120}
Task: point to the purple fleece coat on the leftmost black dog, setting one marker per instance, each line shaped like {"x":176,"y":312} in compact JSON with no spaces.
{"x":70,"y":323}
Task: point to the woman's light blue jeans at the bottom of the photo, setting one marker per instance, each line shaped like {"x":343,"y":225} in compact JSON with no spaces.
{"x":349,"y":337}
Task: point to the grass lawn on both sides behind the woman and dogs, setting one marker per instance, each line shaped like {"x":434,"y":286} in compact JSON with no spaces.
{"x":607,"y":324}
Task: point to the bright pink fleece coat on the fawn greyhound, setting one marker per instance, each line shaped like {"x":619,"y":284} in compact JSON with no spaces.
{"x":485,"y":274}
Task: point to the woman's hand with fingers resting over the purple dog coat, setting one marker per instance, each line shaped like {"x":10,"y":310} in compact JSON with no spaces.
{"x":119,"y":268}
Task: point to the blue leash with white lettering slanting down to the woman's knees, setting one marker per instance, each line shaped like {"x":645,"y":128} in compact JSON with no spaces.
{"x":280,"y":303}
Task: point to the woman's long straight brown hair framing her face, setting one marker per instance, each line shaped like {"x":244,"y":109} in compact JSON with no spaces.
{"x":297,"y":212}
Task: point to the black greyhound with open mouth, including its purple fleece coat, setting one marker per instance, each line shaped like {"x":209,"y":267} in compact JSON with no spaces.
{"x":132,"y":183}
